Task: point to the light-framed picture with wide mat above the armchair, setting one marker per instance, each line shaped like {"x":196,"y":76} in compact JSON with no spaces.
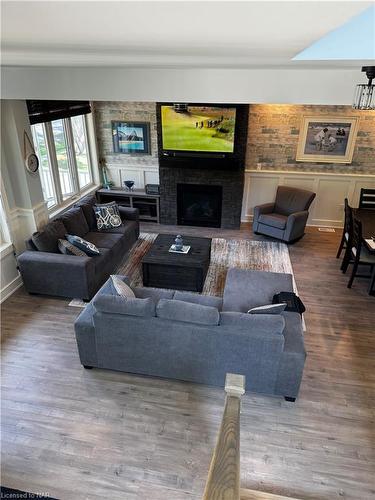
{"x":327,"y":139}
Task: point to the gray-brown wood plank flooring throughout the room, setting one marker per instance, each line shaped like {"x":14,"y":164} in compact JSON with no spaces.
{"x":78,"y":434}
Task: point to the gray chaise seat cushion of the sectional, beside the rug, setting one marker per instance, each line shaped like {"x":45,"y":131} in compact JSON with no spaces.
{"x":245,"y":288}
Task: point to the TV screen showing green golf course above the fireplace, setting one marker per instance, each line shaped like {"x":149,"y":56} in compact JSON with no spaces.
{"x":207,"y":129}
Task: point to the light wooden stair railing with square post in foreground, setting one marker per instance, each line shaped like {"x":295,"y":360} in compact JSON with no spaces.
{"x":223,"y":482}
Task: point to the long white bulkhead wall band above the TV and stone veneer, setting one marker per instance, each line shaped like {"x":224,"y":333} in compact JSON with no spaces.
{"x":298,"y":86}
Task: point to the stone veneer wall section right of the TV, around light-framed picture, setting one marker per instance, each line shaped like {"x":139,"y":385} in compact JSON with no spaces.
{"x":273,"y":133}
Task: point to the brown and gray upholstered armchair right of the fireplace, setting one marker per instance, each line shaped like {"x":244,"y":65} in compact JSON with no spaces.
{"x":285,"y":218}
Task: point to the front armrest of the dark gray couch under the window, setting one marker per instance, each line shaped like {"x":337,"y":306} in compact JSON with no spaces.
{"x":57,"y":274}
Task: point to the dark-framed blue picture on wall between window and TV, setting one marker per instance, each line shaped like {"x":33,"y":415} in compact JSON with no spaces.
{"x":131,"y":137}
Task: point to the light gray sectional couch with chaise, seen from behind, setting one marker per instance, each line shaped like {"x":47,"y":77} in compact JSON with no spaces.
{"x":186,"y":336}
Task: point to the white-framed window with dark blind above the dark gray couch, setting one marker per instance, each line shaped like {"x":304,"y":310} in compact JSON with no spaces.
{"x":63,"y":151}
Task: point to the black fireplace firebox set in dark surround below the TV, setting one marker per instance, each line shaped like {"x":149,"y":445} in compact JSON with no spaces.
{"x":199,"y":205}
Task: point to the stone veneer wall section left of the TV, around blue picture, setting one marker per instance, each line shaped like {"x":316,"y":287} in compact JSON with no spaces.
{"x":107,"y":111}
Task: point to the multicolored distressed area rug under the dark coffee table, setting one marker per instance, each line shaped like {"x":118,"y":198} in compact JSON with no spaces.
{"x":245,"y":254}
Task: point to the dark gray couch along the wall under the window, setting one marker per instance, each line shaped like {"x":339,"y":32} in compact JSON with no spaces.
{"x":47,"y":271}
